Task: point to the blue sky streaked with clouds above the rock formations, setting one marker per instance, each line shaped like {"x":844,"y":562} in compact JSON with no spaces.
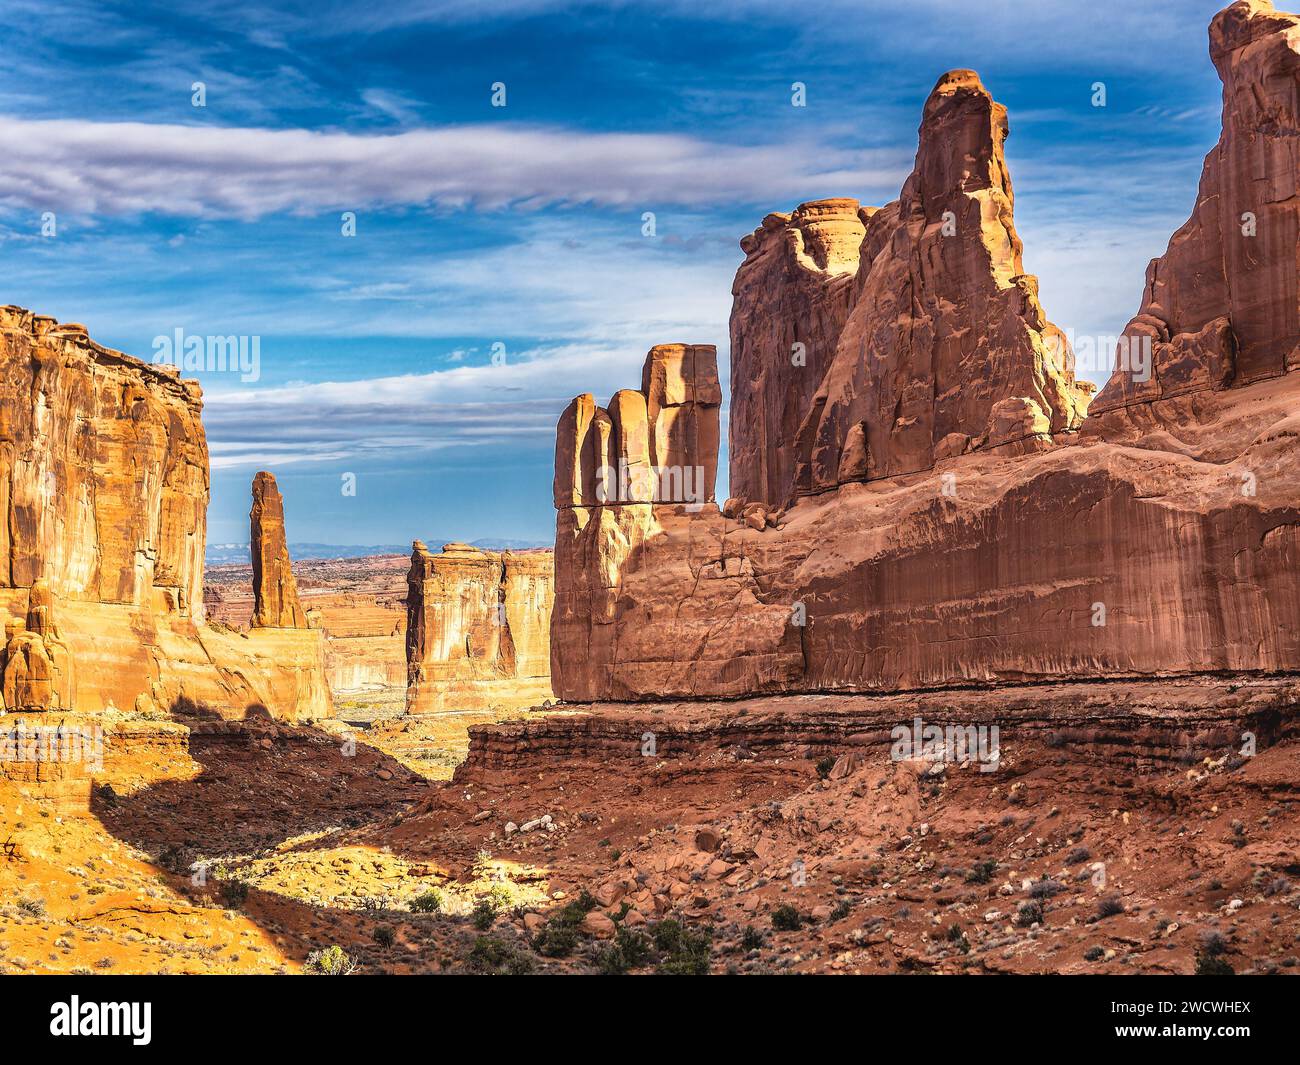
{"x":522,"y":226}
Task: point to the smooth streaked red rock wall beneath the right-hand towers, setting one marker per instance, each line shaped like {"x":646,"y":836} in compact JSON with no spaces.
{"x":1084,"y":561}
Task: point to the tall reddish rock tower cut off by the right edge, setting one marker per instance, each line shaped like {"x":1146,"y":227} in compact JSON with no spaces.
{"x":1223,"y":306}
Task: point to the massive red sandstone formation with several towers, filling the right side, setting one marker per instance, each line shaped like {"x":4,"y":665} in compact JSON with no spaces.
{"x":922,"y":500}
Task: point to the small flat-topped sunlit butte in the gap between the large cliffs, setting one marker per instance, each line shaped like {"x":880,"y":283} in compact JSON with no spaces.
{"x":478,"y":629}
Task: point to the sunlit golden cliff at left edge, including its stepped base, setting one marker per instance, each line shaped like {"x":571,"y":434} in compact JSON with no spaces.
{"x":105,"y":492}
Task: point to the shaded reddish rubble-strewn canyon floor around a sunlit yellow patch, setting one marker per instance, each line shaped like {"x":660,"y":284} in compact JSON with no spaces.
{"x":320,"y":848}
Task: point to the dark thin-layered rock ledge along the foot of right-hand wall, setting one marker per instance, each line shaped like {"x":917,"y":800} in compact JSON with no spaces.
{"x":1139,"y":725}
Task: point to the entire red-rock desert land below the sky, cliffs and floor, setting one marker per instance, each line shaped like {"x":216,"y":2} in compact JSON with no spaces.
{"x":976,"y":670}
